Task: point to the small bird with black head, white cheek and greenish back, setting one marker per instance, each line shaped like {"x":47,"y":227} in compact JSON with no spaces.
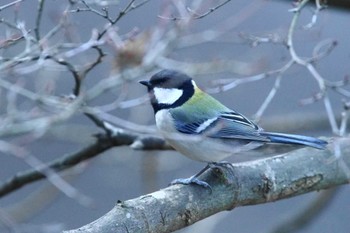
{"x":200,"y":127}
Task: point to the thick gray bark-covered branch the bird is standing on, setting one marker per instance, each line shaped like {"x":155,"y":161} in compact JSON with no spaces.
{"x":266,"y":180}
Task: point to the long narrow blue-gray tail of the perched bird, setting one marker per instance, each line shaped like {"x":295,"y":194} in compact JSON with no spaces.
{"x":295,"y":139}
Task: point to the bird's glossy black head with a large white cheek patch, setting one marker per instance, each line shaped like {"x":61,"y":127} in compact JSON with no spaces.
{"x":169,"y":89}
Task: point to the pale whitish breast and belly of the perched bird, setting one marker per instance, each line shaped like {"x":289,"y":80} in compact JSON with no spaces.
{"x":199,"y":148}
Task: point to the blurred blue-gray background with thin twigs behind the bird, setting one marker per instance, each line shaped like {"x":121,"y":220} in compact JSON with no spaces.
{"x":241,"y":40}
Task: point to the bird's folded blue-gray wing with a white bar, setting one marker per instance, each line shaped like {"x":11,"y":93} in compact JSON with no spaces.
{"x":227,"y":125}
